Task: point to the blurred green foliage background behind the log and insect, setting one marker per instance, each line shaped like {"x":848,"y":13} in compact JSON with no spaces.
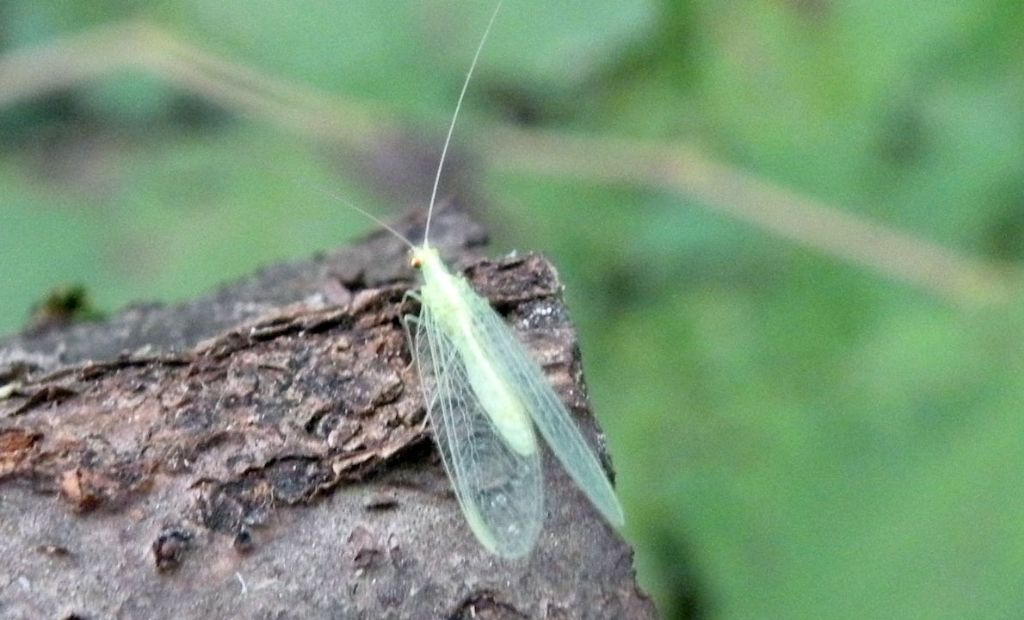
{"x":796,"y":435}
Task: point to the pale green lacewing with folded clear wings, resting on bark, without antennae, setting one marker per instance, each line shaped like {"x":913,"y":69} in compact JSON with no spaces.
{"x":485,"y":395}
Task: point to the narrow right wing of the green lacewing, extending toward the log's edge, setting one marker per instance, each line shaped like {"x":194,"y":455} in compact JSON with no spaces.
{"x":548,"y":411}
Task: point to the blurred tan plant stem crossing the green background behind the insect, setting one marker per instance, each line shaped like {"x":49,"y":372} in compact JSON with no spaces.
{"x":67,"y":63}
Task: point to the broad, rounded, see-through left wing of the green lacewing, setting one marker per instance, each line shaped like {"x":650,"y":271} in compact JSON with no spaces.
{"x":500,"y":491}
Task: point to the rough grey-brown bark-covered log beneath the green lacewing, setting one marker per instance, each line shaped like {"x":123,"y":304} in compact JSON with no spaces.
{"x":264,"y":452}
